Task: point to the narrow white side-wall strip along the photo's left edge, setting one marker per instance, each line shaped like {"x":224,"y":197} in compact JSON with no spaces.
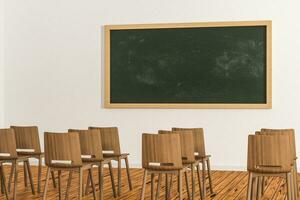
{"x":1,"y":63}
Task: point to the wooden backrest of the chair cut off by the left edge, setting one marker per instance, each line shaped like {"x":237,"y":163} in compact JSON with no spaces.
{"x":7,"y":144}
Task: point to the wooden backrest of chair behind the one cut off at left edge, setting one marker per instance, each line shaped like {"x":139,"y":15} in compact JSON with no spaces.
{"x":27,"y":138}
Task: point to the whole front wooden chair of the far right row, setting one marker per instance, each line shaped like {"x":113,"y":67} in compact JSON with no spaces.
{"x":269,"y":156}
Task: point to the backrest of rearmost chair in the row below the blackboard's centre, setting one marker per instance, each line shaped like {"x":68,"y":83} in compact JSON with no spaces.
{"x":199,"y":142}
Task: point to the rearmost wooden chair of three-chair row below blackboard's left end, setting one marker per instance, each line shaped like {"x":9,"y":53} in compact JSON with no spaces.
{"x":111,"y":150}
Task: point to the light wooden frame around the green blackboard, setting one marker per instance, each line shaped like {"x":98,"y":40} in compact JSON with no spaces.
{"x":267,"y":105}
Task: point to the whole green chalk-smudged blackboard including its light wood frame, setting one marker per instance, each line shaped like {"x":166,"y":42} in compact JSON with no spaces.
{"x":197,"y":65}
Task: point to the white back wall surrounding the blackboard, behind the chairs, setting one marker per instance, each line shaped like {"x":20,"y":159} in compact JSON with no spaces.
{"x":54,"y":65}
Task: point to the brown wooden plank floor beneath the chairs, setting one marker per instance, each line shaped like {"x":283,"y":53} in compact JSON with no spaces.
{"x":228,"y":185}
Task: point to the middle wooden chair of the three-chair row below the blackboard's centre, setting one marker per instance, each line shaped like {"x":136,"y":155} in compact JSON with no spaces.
{"x":188,"y":159}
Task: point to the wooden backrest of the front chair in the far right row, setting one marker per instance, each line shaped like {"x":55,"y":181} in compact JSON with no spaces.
{"x":269,"y":154}
